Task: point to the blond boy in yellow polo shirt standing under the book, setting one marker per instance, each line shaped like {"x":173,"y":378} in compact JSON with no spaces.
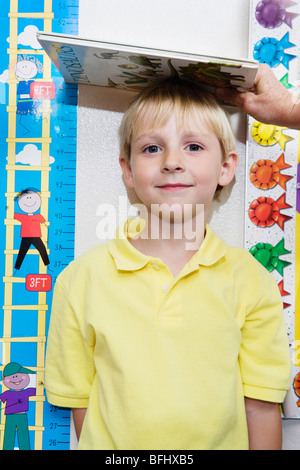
{"x":167,"y":341}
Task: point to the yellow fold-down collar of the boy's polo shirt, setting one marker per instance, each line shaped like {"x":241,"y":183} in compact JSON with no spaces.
{"x":128,"y":258}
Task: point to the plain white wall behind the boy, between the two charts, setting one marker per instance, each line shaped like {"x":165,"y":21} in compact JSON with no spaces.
{"x":214,"y":27}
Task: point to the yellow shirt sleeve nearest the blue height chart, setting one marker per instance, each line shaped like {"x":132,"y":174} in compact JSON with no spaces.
{"x":69,"y":359}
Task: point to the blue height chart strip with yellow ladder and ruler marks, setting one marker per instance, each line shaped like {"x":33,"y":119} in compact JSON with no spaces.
{"x":40,"y":154}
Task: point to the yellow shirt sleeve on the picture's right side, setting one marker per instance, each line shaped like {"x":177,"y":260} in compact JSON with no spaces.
{"x":264,"y":354}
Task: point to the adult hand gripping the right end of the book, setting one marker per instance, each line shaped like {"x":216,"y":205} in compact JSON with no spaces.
{"x":268,"y":101}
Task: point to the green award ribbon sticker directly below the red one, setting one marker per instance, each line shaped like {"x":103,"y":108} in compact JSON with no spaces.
{"x":268,"y":255}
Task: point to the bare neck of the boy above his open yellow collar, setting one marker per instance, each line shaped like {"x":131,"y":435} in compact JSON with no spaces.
{"x":173,"y":243}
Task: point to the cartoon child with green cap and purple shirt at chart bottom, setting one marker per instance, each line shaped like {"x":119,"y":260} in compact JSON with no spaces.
{"x":16,"y":379}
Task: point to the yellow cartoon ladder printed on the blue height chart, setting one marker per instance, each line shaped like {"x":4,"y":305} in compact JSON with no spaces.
{"x":9,"y":280}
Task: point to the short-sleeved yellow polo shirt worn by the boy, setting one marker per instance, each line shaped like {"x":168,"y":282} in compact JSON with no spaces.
{"x":164,"y":363}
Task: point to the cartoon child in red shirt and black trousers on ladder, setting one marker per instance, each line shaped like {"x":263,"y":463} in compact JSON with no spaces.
{"x":29,"y":202}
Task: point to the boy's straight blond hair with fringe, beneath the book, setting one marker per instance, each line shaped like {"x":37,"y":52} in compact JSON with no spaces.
{"x":155,"y":103}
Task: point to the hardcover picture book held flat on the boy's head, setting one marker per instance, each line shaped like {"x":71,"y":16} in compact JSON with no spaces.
{"x":127,"y":67}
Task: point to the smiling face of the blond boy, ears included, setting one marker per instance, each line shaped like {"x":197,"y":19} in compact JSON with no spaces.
{"x":177,"y":165}
